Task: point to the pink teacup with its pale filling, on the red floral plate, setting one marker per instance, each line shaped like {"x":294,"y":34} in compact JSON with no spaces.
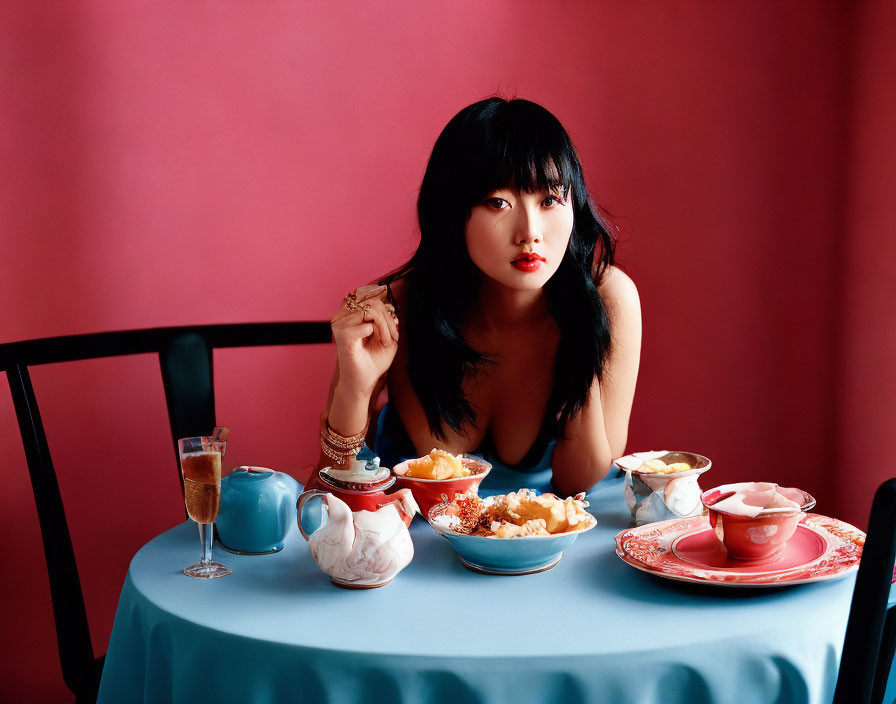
{"x":755,"y":519}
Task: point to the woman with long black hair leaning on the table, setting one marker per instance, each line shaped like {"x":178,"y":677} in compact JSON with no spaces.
{"x":509,"y":332}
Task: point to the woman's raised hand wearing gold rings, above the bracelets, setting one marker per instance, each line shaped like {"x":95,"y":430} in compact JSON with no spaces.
{"x":365,"y":329}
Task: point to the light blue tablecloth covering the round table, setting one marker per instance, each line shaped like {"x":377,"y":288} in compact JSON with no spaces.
{"x":592,"y":629}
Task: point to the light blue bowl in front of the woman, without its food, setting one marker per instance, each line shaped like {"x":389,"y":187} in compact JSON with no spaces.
{"x":507,"y":556}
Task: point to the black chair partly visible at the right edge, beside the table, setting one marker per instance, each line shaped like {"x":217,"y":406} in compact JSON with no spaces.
{"x":871,"y":629}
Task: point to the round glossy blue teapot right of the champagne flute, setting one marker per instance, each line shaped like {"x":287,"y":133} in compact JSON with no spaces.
{"x":258,"y":507}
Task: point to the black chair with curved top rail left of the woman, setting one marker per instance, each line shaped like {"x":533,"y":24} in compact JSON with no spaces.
{"x":185,"y":355}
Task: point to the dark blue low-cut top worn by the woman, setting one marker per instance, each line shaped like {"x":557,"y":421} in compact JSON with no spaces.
{"x":393,"y":445}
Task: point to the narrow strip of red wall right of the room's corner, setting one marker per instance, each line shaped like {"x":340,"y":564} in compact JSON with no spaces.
{"x":866,"y":381}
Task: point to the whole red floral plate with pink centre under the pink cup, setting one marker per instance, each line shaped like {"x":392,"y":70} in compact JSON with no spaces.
{"x":686,"y":549}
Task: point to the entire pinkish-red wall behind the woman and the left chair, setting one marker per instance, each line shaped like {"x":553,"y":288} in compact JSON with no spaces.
{"x":173,"y":163}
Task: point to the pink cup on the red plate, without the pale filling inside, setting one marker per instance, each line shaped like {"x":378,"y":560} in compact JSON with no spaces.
{"x":762,"y":537}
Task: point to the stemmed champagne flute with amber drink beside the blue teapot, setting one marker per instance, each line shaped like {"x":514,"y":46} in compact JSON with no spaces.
{"x":200,"y":463}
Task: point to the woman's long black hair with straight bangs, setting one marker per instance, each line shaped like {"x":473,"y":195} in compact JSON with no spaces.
{"x":487,"y":146}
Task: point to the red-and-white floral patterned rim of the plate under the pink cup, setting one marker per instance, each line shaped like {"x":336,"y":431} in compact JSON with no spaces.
{"x":652,"y":548}
